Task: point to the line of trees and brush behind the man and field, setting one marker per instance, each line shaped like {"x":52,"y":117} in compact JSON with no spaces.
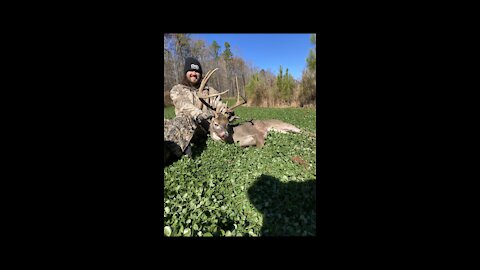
{"x":260,"y":87}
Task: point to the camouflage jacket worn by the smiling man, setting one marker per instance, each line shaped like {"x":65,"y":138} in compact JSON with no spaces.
{"x":187,"y":103}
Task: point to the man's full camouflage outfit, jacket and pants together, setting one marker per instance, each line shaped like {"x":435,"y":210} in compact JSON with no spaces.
{"x":184,"y":128}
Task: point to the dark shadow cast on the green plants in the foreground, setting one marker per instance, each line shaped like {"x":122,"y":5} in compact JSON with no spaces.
{"x":289,"y":209}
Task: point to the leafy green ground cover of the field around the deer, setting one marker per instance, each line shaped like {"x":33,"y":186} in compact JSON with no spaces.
{"x":226,"y":190}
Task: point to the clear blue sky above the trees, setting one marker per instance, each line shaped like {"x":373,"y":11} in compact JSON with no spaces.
{"x":266,"y":51}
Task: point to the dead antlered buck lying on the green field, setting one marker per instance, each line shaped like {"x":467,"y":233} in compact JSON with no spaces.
{"x":251,"y":133}
